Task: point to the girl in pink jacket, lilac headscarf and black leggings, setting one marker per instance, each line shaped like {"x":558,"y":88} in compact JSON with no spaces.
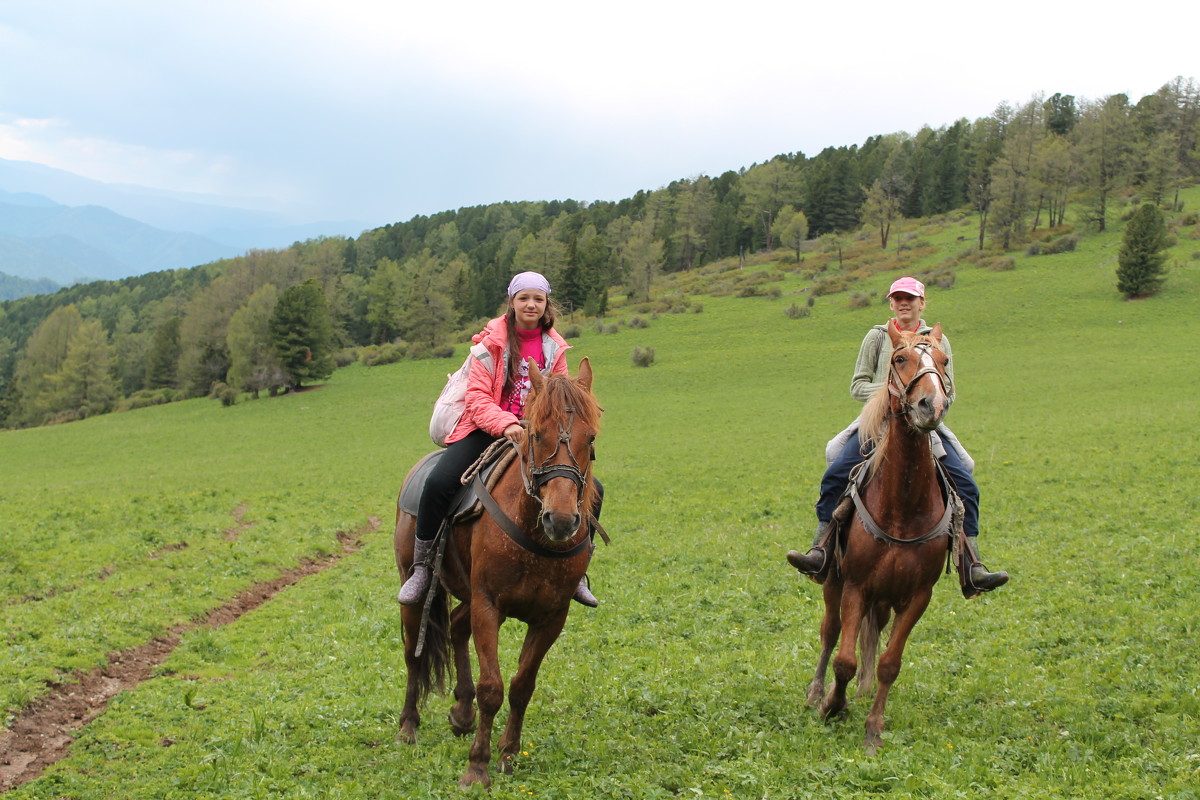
{"x":495,"y":405}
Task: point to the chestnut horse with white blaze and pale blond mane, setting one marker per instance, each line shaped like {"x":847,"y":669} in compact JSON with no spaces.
{"x":895,"y":568}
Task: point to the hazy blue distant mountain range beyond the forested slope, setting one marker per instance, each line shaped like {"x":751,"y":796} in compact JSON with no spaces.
{"x":63,"y":228}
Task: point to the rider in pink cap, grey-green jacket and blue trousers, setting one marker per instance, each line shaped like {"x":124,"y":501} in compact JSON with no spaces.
{"x":908,"y":300}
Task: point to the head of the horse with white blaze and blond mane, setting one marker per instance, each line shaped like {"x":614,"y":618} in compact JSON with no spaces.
{"x":917,"y":381}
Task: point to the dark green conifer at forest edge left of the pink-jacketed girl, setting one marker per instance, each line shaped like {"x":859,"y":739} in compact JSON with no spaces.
{"x":303,"y":334}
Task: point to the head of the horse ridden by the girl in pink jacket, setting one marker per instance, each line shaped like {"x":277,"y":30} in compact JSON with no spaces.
{"x":563,"y":420}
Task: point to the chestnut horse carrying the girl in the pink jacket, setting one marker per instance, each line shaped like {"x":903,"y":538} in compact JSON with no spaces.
{"x":548,"y":492}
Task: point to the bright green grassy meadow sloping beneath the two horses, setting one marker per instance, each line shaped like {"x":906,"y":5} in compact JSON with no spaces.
{"x":1077,"y":681}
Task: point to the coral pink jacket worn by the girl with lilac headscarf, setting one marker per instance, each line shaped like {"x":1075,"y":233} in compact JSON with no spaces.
{"x":484,"y":388}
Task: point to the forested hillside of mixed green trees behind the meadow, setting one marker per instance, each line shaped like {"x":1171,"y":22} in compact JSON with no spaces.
{"x":406,"y":290}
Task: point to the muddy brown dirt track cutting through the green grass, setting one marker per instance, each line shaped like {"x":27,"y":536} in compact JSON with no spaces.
{"x":44,"y":732}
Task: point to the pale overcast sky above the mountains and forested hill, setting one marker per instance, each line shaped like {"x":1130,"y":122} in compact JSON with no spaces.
{"x":379,"y":111}
